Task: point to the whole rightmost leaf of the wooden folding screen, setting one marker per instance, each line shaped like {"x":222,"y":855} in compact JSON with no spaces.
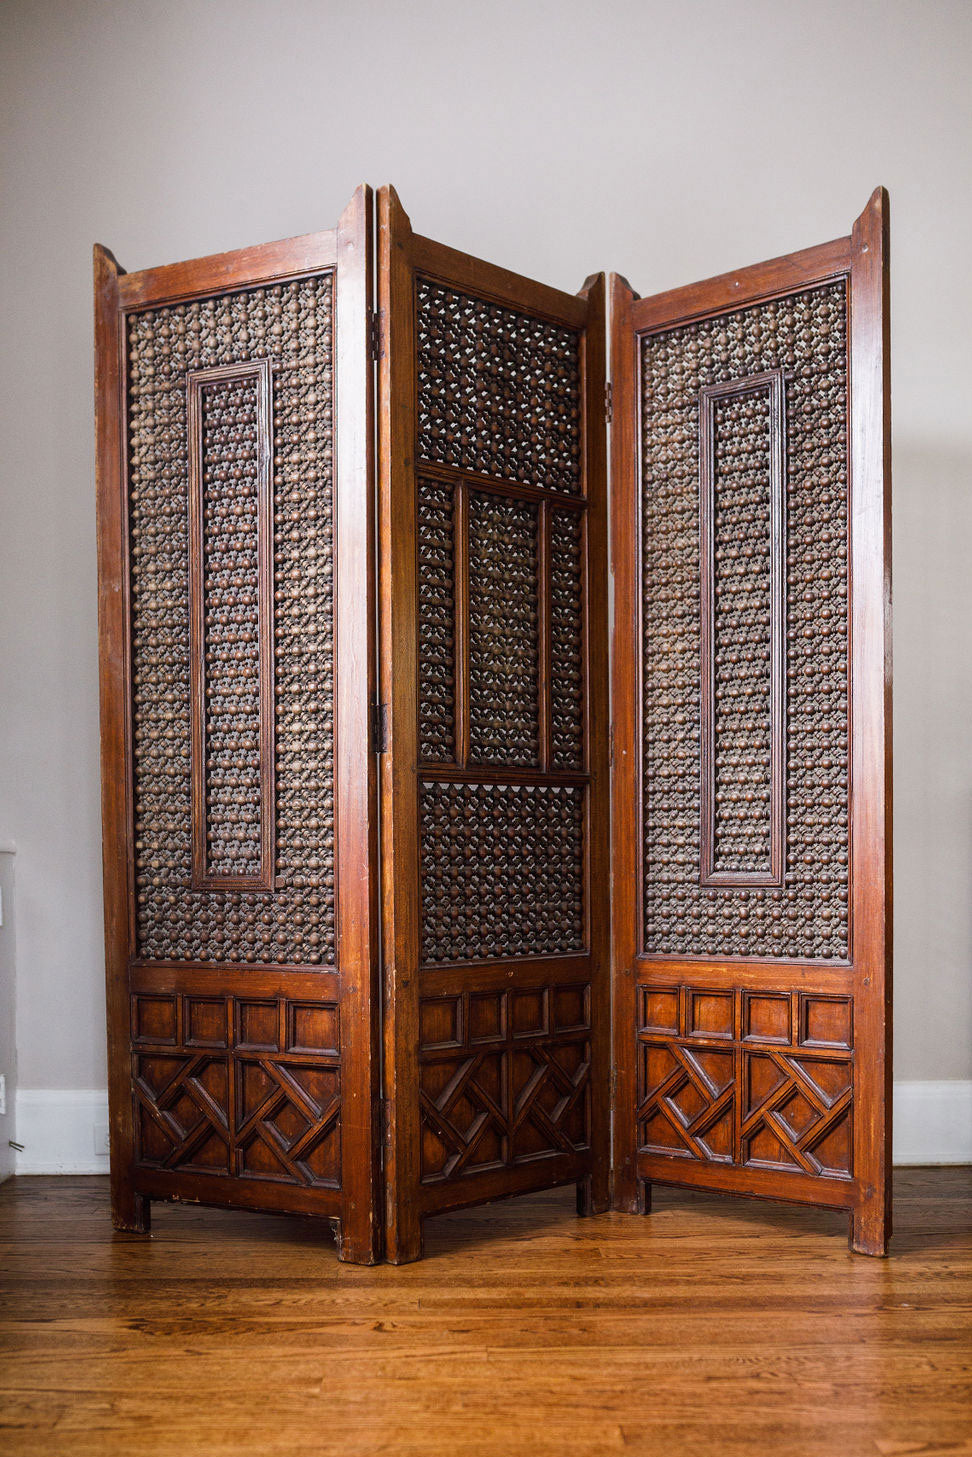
{"x":751,"y":731}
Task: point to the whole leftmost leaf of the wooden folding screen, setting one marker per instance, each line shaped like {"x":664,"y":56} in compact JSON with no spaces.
{"x":237,"y":629}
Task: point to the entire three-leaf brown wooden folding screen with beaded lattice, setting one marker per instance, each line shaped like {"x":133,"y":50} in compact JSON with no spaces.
{"x":257,"y":1057}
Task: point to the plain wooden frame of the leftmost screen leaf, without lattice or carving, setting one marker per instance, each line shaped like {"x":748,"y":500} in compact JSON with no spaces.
{"x":346,"y":254}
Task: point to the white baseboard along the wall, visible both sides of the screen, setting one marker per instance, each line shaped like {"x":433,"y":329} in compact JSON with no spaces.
{"x":65,"y":1131}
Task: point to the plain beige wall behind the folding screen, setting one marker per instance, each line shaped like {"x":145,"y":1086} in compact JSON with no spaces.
{"x":668,"y":142}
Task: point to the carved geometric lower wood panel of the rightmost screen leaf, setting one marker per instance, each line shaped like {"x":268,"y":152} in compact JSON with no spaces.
{"x":737,"y":1077}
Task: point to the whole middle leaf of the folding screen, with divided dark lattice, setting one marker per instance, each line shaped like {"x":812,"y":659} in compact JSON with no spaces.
{"x":495,"y":825}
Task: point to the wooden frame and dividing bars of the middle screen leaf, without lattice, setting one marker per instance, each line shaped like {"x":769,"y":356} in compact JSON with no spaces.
{"x":404,"y":257}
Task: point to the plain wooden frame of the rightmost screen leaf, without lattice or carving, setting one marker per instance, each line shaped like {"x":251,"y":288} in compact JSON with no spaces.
{"x":863,"y":983}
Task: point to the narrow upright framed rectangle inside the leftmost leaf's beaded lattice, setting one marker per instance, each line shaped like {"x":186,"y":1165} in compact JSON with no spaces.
{"x":231,"y":627}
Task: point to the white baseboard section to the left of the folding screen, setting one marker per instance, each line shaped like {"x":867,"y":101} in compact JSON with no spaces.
{"x":63,"y":1131}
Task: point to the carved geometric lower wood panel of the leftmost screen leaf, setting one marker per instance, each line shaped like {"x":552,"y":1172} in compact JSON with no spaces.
{"x":238,"y":1086}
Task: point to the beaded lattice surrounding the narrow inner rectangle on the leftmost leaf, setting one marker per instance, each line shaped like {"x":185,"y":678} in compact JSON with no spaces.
{"x":292,"y":326}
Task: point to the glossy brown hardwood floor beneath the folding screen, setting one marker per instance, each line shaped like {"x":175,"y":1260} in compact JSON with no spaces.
{"x":713,"y":1327}
